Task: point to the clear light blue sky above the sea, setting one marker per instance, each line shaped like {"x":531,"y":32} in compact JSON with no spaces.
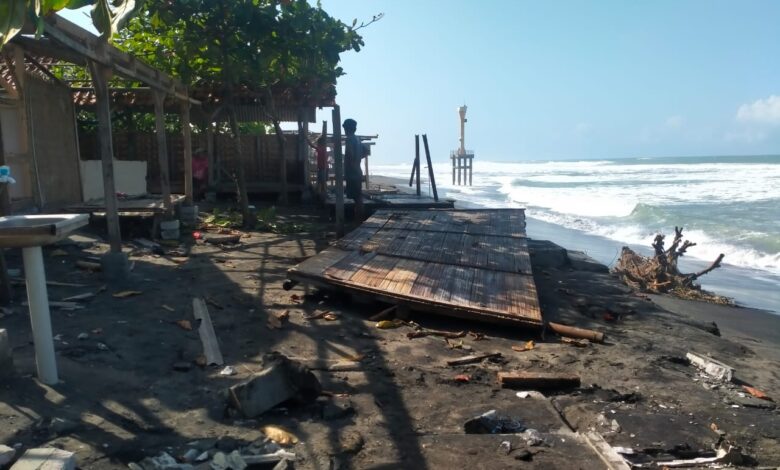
{"x":564,"y":79}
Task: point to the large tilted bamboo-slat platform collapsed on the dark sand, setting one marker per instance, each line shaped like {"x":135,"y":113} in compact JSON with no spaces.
{"x":464,"y":263}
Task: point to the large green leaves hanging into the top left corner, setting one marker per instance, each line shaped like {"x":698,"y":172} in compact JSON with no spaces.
{"x":107,"y":15}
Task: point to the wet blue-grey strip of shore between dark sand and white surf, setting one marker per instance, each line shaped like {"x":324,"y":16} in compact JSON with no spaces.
{"x":730,"y":281}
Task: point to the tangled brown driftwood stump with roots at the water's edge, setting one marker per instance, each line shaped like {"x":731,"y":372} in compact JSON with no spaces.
{"x":660,"y":274}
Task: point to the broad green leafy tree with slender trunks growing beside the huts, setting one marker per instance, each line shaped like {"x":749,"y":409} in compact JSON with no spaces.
{"x":256,"y":48}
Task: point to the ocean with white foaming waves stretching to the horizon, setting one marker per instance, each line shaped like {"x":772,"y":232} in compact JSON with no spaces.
{"x":727,"y":205}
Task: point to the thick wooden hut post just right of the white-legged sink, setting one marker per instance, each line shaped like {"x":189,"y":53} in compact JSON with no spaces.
{"x":100,"y":75}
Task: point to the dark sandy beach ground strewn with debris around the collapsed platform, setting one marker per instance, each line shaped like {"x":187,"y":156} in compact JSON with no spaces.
{"x":393,"y":401}
